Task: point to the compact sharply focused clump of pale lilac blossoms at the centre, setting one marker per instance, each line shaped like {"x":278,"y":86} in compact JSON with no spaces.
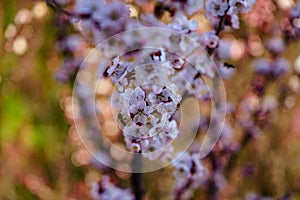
{"x":145,"y":114}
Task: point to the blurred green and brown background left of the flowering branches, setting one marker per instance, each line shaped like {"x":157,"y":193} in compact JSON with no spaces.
{"x":35,"y":149}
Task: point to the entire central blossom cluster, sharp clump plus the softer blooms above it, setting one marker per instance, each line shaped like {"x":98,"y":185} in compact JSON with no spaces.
{"x":148,"y":96}
